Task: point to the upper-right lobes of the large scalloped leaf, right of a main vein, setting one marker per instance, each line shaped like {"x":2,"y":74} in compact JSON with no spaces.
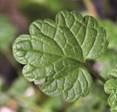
{"x":90,"y":36}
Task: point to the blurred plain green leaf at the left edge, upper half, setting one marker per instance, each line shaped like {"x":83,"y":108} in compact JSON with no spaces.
{"x":7,"y":32}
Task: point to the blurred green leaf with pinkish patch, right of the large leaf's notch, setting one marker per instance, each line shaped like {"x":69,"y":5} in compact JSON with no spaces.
{"x":106,"y":63}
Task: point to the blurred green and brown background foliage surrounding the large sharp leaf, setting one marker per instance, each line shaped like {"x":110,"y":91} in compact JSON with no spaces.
{"x":18,"y":95}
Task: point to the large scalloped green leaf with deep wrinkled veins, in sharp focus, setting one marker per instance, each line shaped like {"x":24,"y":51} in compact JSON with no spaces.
{"x":54,"y":53}
